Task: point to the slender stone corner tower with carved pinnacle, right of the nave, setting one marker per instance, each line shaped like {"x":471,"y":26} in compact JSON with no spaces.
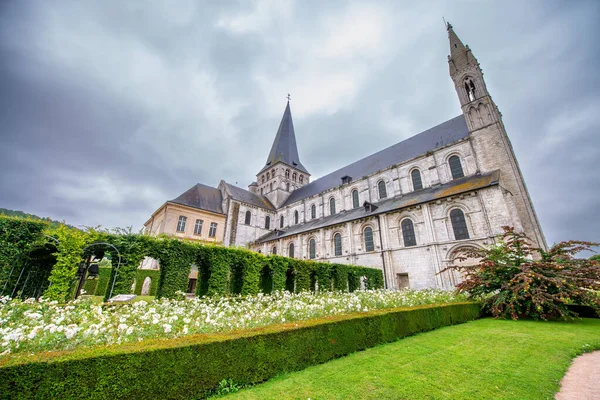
{"x":491,"y":144}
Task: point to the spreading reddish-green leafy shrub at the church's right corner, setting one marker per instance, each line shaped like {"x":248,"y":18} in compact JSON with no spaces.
{"x":515,"y":279}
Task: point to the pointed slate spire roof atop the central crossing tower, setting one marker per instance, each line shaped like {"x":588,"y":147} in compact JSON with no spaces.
{"x":284,"y":147}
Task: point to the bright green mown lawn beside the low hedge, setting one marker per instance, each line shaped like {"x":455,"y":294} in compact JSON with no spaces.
{"x":483,"y":359}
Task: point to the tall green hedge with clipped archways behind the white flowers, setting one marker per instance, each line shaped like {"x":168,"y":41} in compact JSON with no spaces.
{"x":221,"y":270}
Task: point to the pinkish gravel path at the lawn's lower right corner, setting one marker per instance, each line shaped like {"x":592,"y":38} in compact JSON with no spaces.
{"x":582,"y":381}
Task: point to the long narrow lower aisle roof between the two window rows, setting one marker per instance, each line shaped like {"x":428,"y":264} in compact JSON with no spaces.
{"x":452,"y":188}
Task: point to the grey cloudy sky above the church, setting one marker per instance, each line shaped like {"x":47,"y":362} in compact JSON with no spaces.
{"x":109,"y":108}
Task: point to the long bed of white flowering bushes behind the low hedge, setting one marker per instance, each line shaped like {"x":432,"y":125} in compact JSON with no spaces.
{"x":42,"y":325}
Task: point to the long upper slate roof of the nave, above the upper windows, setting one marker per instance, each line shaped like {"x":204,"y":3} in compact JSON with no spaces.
{"x":429,"y":140}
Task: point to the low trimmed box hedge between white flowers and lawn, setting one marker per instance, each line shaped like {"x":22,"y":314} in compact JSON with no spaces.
{"x":191,"y":366}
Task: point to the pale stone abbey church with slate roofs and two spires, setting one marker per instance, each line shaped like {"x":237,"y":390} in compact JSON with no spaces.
{"x":410,"y":209}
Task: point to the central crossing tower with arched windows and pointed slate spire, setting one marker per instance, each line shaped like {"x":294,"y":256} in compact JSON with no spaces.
{"x":283,"y":172}
